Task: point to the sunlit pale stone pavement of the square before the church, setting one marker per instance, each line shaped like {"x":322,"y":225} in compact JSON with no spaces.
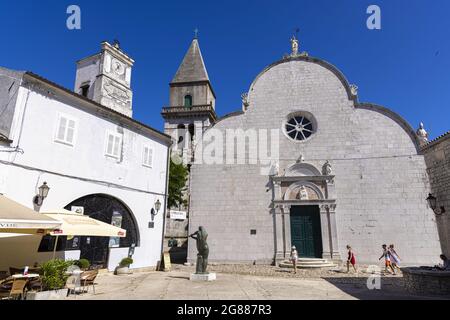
{"x":240,"y":282}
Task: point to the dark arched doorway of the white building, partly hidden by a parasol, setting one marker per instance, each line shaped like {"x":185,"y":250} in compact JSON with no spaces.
{"x":109,"y":210}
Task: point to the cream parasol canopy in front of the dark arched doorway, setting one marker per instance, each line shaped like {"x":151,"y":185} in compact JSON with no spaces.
{"x":77,"y":224}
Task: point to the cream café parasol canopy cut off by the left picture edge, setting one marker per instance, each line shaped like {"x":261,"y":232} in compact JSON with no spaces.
{"x":16,"y":218}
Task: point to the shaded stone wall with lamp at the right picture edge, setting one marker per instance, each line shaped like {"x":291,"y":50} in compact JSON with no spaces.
{"x":437,"y":157}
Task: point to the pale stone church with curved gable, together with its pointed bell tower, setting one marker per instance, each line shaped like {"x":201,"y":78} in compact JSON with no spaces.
{"x":346,"y":172}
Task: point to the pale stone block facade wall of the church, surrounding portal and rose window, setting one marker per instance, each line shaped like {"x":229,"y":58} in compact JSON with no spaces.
{"x":381,"y":181}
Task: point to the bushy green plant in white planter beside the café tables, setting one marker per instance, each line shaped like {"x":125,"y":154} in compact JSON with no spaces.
{"x":53,"y":275}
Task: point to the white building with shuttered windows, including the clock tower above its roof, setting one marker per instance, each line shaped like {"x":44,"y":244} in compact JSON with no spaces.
{"x":91,"y":154}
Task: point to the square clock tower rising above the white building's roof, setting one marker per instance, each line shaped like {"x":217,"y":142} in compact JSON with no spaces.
{"x":106,"y":78}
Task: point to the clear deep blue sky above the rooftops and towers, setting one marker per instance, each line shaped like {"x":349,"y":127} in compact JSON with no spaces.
{"x":405,"y":66}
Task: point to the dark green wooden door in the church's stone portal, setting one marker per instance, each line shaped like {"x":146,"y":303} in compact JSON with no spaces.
{"x":306,"y":231}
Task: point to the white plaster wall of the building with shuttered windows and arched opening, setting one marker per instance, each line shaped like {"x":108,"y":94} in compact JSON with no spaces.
{"x":72,"y":172}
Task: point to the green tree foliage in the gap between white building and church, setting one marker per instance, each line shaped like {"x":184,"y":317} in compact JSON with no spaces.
{"x":178,"y":176}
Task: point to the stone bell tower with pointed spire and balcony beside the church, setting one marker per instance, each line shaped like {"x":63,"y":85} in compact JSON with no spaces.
{"x":192,"y":103}
